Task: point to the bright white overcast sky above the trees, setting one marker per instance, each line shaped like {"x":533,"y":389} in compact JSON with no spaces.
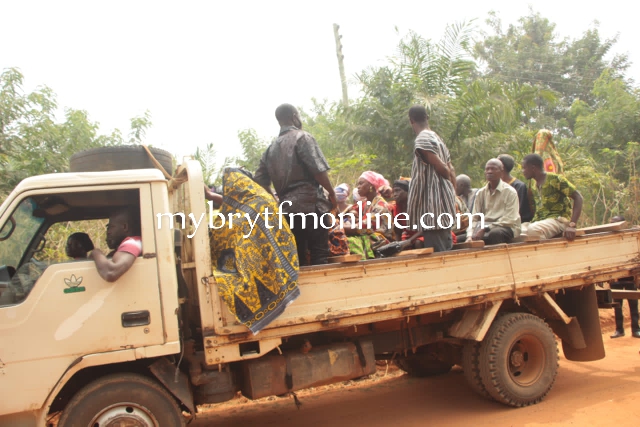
{"x":206,"y":69}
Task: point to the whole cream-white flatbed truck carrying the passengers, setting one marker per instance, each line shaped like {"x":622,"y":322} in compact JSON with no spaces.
{"x":146,"y":350}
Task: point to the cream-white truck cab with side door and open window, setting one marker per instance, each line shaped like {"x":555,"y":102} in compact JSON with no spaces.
{"x":58,"y":316}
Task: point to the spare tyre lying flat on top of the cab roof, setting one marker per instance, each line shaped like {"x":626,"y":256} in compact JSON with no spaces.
{"x":119,"y":157}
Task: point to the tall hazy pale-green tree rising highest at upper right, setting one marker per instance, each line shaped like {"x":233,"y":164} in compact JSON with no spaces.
{"x":531,"y":53}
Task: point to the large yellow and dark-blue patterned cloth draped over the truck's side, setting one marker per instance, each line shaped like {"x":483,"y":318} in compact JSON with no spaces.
{"x":257,"y":276}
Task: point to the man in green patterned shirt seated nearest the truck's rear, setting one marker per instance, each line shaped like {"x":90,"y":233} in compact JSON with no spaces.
{"x":552,"y":194}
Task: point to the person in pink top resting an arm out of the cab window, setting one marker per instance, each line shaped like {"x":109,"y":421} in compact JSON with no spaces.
{"x":123,"y":236}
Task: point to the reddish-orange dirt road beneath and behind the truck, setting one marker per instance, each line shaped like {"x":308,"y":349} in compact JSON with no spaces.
{"x":601,"y":393}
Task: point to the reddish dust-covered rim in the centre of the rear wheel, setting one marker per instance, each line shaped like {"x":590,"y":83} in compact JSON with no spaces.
{"x":526,"y":360}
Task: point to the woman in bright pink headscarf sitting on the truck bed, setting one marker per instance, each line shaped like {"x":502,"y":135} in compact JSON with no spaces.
{"x":367,"y":234}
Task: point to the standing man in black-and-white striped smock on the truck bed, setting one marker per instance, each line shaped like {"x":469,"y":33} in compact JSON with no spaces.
{"x":431,"y":204}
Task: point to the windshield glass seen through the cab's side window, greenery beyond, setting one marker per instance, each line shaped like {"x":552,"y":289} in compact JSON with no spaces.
{"x":19,"y":233}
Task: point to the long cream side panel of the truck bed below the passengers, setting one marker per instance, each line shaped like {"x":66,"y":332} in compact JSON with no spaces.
{"x":338,"y":295}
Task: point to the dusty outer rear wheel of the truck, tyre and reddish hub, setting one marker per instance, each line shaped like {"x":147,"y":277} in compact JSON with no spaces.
{"x":518,"y":359}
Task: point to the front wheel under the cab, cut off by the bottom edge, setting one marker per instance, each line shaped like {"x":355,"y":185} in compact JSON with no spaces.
{"x":130,"y":399}
